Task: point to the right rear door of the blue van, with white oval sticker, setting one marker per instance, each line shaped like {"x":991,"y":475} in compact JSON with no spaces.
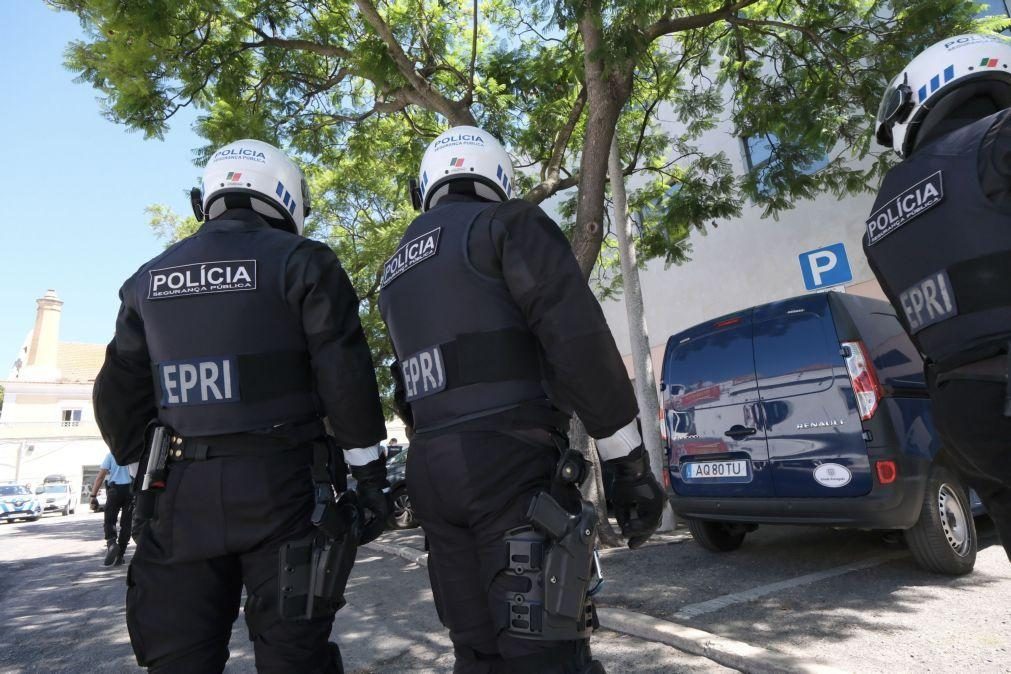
{"x":809,"y":415}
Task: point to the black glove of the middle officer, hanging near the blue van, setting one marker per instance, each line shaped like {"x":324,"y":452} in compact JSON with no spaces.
{"x":637,"y":497}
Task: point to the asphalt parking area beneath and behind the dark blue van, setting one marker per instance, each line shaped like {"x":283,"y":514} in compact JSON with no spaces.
{"x":847,"y":600}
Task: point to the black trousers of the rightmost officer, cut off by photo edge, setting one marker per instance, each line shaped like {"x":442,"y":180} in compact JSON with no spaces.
{"x":970,"y":418}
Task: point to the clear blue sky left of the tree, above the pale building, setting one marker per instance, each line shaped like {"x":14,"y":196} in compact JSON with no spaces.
{"x":76,"y":185}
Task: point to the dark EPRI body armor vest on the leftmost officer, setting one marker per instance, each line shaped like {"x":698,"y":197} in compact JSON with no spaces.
{"x":228,"y":353}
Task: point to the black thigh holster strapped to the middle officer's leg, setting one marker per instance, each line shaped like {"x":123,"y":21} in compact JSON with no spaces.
{"x":549,"y":568}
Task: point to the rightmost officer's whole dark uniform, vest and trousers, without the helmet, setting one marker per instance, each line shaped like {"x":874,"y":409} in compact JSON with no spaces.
{"x":940,"y":243}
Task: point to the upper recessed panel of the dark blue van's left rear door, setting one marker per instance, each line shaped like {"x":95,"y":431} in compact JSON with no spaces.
{"x":716,"y":369}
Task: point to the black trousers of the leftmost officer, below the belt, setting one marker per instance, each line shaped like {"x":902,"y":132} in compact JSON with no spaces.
{"x":218,"y":529}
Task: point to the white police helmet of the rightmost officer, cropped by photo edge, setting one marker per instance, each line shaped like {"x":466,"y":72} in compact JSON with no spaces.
{"x":939,"y":81}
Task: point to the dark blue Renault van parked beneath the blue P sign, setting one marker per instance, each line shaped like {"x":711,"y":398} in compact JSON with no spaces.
{"x":811,"y":411}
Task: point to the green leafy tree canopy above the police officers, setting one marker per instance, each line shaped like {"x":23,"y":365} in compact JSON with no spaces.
{"x":355,"y":89}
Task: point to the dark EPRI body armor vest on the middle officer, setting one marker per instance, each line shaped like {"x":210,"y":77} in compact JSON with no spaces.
{"x":465,"y":348}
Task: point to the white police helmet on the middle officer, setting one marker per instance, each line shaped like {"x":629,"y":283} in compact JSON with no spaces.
{"x":468,"y":160}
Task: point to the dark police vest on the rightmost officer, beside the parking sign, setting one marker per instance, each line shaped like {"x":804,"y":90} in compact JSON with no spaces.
{"x":942,"y":251}
